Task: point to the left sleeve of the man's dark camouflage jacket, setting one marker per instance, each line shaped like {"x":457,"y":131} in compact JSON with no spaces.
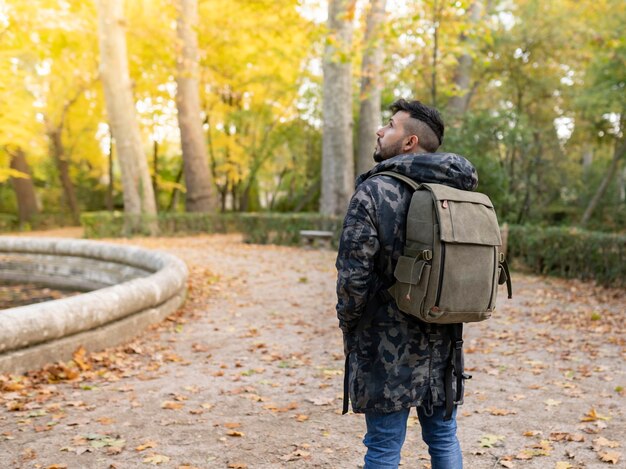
{"x":358,"y":249}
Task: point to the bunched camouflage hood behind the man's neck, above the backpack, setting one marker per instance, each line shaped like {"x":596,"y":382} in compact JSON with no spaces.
{"x":440,"y":168}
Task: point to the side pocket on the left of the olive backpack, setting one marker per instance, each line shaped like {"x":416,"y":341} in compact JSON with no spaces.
{"x":409,"y":291}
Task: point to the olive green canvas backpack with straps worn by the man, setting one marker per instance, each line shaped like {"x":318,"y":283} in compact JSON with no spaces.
{"x":451,"y":267}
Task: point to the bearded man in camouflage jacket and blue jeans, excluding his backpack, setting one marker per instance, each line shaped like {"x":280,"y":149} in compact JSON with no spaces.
{"x":393,"y":361}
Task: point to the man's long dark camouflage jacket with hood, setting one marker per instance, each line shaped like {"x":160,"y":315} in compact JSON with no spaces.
{"x":394,"y":360}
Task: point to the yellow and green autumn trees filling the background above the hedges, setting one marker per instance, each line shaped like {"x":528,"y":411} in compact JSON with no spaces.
{"x":288,"y":95}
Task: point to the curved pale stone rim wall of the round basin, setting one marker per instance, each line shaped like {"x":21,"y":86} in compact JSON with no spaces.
{"x":127,"y":288}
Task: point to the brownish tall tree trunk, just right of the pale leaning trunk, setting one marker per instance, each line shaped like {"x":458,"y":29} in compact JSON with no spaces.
{"x":199,"y":196}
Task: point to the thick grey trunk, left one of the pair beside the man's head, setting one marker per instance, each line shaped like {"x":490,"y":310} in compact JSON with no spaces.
{"x":337,"y":149}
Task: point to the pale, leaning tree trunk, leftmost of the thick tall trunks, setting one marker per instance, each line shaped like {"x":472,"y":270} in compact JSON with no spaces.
{"x":120,"y":105}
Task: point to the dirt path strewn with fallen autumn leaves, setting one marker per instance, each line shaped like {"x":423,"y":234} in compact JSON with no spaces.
{"x":249,"y":375}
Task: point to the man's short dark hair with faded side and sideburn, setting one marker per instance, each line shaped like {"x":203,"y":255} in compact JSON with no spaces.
{"x":428,"y":126}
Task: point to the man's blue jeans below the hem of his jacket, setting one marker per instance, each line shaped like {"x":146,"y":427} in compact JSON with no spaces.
{"x":386,"y":432}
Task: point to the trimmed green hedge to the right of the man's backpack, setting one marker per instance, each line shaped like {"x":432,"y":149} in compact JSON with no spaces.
{"x":570,"y":253}
